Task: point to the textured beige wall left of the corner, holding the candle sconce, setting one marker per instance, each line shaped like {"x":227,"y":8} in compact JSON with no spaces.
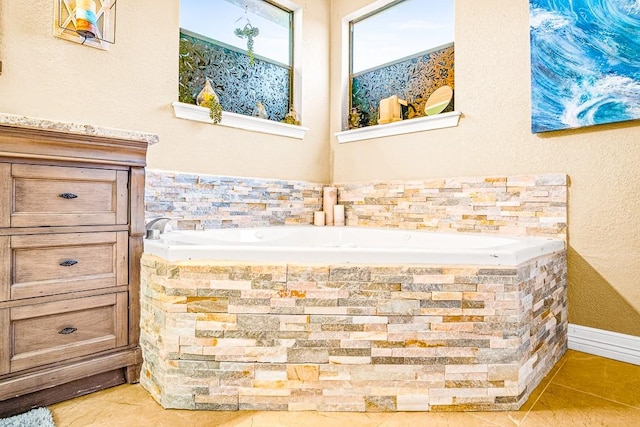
{"x":133,"y":84}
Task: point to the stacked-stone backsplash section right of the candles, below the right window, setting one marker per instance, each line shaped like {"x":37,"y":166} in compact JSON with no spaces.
{"x":533,"y":205}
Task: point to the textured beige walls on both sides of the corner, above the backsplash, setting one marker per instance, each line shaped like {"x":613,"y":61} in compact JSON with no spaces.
{"x":133,"y":84}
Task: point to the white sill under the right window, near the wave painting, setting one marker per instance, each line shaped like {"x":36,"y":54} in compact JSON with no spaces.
{"x":439,"y":121}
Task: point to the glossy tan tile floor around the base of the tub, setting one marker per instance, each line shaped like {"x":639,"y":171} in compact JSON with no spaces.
{"x":581,"y":390}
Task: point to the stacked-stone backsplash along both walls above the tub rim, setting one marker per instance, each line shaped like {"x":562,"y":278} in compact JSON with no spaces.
{"x":508,"y":205}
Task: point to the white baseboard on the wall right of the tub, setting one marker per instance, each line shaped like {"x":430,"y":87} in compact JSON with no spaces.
{"x":612,"y":345}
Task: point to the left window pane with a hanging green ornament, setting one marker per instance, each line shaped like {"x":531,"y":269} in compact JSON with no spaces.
{"x":244,"y":48}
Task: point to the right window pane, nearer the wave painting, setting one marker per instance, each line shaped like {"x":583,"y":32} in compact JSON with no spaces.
{"x":404,"y":48}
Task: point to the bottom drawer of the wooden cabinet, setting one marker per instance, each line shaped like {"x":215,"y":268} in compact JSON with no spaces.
{"x":57,"y":331}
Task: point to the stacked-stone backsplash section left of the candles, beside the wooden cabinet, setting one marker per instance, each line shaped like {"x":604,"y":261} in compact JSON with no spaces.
{"x":223,"y":201}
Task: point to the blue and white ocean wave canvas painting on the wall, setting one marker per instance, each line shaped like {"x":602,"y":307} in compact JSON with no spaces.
{"x":585,"y":62}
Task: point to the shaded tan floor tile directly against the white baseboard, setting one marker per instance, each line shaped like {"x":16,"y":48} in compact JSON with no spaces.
{"x":606,"y":378}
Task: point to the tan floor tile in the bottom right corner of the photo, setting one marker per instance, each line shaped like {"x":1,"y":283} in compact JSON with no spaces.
{"x":565,"y":407}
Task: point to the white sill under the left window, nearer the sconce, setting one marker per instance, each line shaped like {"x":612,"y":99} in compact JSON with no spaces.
{"x":238,"y":121}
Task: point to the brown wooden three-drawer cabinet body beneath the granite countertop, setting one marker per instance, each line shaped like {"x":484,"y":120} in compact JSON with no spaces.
{"x":71,"y":229}
